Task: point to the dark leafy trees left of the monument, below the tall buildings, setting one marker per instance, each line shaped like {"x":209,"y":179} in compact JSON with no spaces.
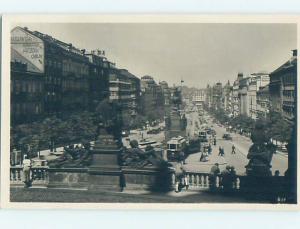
{"x":52,"y":132}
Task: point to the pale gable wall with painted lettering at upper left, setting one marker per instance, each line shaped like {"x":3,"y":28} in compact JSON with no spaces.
{"x":28,"y":49}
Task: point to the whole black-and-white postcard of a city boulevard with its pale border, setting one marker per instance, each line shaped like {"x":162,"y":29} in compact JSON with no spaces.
{"x":151,"y":111}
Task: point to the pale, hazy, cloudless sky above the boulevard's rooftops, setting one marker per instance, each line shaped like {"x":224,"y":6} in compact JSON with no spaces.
{"x":197,"y":53}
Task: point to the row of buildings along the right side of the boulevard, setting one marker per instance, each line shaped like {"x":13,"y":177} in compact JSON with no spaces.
{"x":257,"y":94}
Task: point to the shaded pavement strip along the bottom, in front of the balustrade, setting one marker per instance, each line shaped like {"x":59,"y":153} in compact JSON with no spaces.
{"x":76,"y":196}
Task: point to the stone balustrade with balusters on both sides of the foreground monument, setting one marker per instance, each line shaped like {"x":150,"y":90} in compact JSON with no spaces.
{"x":273,"y":186}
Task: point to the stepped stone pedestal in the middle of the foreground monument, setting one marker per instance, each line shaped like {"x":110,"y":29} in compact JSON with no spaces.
{"x":105,"y":172}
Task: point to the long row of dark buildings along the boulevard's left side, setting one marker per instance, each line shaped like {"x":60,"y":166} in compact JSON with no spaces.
{"x":49,"y":77}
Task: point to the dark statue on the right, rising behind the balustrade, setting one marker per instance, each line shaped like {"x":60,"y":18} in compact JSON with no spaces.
{"x":260,"y":153}
